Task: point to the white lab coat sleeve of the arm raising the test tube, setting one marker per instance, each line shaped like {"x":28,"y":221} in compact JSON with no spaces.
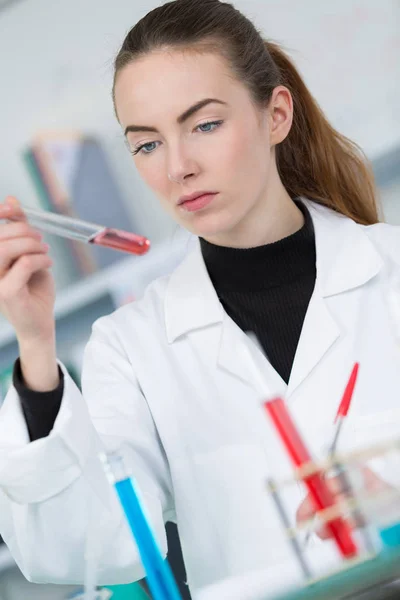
{"x":56,"y":505}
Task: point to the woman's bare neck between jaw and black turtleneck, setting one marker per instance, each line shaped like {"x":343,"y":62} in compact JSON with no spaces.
{"x":273,"y":217}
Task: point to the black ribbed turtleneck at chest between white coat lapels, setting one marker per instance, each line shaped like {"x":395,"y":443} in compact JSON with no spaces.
{"x":267,"y":289}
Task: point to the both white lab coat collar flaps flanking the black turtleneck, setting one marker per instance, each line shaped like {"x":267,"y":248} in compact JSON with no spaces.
{"x":345,"y":257}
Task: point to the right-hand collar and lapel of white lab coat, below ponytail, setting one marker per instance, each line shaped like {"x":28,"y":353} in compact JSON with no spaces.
{"x":346,"y":259}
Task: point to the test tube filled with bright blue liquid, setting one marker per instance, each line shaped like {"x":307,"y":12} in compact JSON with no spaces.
{"x":159,"y":575}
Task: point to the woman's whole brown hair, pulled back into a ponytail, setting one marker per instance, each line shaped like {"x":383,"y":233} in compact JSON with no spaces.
{"x":314,"y":161}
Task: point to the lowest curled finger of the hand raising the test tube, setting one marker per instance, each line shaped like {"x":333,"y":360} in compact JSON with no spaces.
{"x":21,"y":272}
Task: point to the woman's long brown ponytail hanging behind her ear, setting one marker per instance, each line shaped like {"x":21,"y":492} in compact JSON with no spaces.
{"x":317,"y":162}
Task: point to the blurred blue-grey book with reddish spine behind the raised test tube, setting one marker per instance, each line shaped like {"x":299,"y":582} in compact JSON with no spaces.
{"x":73,"y":177}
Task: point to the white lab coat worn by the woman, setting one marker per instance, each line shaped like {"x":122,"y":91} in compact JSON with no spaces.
{"x":174,"y":384}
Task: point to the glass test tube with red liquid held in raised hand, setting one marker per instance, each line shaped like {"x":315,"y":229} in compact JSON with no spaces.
{"x":83,"y":231}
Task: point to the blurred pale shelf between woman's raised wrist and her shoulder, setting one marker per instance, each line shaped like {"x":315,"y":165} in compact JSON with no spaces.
{"x":73,"y":298}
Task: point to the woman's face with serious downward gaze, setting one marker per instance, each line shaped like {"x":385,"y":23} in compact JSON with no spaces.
{"x":193,"y":128}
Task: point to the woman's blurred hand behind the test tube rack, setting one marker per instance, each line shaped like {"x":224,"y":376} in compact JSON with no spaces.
{"x":370,"y":483}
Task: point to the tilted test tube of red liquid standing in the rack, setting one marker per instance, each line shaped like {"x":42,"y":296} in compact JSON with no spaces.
{"x":320,"y":494}
